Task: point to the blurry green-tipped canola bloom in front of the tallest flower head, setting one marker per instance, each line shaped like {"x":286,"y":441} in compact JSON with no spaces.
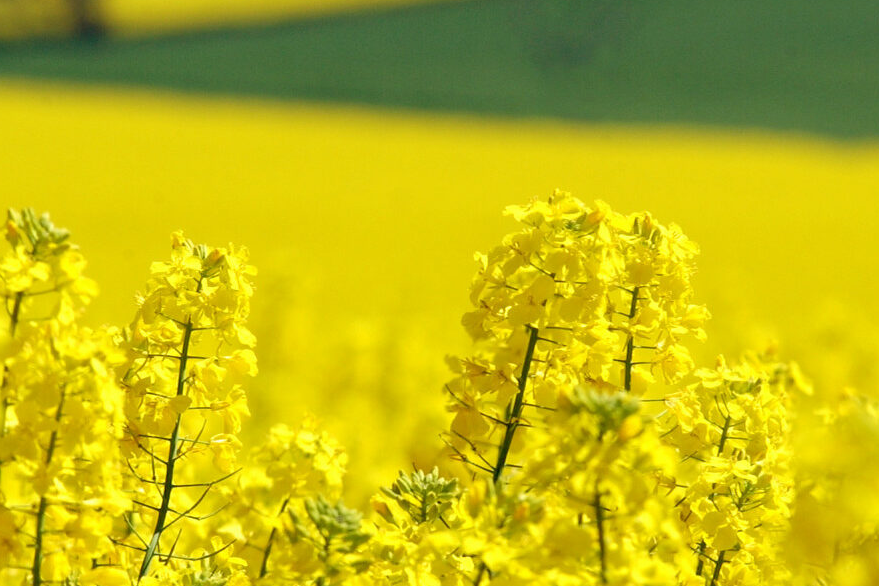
{"x":603,"y":465}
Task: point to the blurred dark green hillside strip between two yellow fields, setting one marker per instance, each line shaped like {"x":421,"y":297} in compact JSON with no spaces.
{"x":807,"y":65}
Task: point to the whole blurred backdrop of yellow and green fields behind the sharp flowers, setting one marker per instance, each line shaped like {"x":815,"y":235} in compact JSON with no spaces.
{"x":363,"y":150}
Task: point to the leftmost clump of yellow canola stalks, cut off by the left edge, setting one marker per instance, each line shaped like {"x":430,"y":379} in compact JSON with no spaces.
{"x":60,"y":413}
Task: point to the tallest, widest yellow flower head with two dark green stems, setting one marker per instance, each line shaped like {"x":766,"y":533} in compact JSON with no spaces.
{"x":578,"y":294}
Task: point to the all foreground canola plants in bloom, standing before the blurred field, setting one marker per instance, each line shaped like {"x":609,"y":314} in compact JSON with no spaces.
{"x":584,"y":444}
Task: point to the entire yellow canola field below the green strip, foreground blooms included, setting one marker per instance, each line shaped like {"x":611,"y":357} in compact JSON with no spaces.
{"x":589,"y":435}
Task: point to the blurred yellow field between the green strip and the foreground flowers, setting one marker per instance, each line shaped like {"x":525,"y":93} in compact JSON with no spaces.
{"x":363,"y":224}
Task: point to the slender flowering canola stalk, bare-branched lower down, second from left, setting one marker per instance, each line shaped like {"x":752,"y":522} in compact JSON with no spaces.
{"x":189,"y":352}
